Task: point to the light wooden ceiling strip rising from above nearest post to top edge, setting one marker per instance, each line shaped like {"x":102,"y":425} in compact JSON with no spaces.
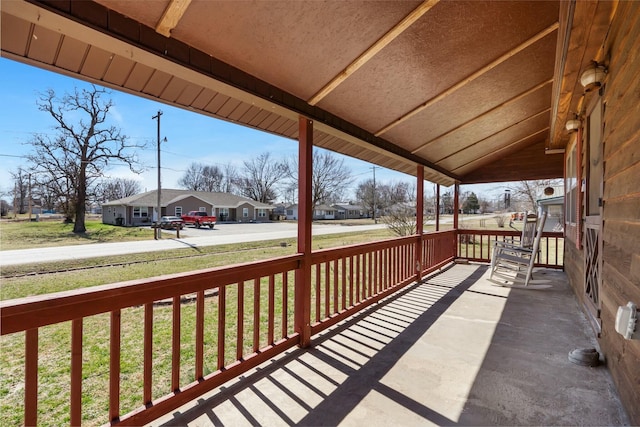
{"x":391,"y":35}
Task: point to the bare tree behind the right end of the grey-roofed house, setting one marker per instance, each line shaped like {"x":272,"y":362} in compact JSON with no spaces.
{"x":260,"y":177}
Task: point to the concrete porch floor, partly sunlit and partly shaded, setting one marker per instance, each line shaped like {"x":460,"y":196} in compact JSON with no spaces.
{"x":453,"y":350}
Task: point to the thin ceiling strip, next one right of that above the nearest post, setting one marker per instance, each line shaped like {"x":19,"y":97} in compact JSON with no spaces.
{"x":493,"y":64}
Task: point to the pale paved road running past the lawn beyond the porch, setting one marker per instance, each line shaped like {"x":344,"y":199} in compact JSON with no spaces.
{"x":190,"y":237}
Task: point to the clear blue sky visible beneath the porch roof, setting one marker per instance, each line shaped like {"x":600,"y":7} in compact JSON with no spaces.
{"x":190,"y":137}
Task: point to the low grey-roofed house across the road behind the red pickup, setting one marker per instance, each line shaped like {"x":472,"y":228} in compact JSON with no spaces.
{"x":140,"y":209}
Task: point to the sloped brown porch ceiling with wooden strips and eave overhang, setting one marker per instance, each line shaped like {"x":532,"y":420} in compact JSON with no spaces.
{"x":474,"y":90}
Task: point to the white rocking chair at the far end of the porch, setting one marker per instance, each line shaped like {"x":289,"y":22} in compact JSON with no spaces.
{"x":512,"y":264}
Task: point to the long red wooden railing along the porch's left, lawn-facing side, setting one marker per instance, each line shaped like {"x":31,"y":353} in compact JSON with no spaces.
{"x":244,"y":315}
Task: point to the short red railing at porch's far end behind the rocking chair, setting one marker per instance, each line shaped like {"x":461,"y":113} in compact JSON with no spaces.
{"x":476,"y":245}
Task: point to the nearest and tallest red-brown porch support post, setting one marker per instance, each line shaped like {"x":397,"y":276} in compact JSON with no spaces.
{"x":303,"y":274}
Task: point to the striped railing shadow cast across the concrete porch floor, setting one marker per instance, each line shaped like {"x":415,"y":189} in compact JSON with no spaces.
{"x":323,"y":384}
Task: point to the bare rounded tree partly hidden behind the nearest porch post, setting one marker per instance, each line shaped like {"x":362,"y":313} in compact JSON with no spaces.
{"x":329,"y":177}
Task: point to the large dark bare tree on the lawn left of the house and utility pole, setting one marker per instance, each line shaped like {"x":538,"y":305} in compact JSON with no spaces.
{"x":70,"y":162}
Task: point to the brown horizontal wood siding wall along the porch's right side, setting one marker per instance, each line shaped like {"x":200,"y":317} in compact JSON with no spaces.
{"x":621,"y":209}
